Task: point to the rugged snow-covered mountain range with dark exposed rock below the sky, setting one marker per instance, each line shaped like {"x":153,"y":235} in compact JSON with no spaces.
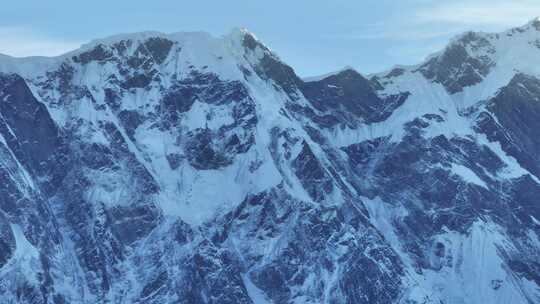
{"x":184,"y":168}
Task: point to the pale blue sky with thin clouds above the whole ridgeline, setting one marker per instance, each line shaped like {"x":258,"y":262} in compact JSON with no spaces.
{"x":313,"y":36}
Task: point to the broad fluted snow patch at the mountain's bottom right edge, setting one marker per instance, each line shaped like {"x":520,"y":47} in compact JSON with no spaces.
{"x":474,"y":266}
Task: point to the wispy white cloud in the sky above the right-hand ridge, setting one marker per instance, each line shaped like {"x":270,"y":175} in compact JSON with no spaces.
{"x":443,"y":19}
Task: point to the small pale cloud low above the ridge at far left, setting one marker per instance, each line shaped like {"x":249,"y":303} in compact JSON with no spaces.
{"x":20,"y":42}
